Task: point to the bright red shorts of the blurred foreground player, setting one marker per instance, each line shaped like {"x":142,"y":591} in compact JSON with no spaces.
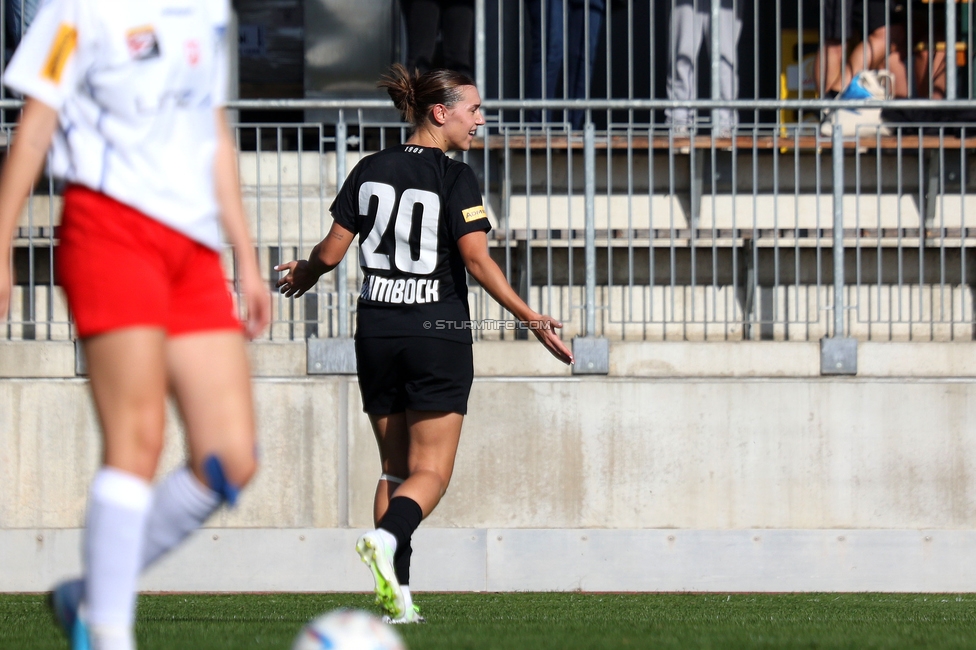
{"x":120,"y":268}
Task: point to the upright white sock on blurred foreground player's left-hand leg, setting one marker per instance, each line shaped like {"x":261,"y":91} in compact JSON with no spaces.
{"x":117,"y":509}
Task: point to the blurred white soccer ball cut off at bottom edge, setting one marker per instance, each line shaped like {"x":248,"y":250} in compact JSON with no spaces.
{"x":347,"y":629}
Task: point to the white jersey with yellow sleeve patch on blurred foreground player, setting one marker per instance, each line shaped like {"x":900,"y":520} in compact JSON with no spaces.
{"x":136,"y":84}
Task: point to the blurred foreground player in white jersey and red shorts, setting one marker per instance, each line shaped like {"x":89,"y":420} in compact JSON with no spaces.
{"x":128,"y":98}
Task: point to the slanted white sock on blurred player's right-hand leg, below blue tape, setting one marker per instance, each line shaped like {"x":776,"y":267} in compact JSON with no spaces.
{"x":180,"y":505}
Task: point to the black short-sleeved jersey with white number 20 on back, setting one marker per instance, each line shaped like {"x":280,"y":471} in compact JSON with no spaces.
{"x":409,"y":205}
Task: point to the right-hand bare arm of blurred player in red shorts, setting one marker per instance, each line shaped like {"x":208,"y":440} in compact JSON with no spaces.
{"x":257,"y":299}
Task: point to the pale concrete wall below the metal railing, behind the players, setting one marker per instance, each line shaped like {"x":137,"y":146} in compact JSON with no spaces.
{"x":692,"y":466}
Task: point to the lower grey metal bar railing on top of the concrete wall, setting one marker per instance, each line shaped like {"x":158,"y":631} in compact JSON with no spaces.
{"x":632,"y":232}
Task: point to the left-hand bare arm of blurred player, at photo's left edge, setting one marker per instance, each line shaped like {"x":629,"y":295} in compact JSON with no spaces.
{"x":24,"y":162}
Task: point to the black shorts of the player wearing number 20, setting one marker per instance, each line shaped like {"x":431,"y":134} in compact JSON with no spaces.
{"x":414,"y":372}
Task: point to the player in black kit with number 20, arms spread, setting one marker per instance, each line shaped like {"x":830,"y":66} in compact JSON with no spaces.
{"x":421,"y":223}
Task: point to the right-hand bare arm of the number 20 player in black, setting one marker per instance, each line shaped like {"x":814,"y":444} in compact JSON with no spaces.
{"x":474,"y":251}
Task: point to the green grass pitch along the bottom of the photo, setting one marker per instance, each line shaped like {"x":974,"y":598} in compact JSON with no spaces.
{"x":540,"y":621}
